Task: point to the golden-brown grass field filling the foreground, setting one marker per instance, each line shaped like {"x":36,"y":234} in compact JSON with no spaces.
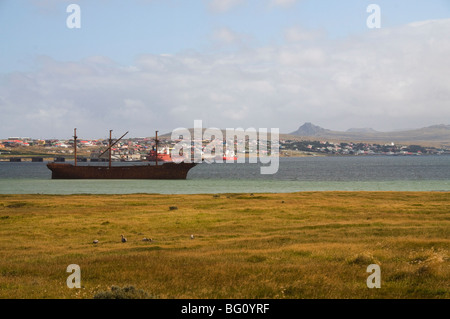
{"x":299,"y":245}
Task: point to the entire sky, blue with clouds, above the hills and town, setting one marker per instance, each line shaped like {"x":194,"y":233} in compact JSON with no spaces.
{"x":146,"y":65}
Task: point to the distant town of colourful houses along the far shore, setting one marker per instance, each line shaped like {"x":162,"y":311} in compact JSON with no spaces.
{"x":137,"y":149}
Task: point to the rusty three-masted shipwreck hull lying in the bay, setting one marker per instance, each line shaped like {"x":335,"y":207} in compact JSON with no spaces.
{"x":150,"y":171}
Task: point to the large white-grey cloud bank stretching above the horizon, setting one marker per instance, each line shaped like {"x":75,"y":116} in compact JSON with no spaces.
{"x":385,"y":79}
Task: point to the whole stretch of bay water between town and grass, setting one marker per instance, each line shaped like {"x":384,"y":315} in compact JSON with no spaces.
{"x":366,"y":173}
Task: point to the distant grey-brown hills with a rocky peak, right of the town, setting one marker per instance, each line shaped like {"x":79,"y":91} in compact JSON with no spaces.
{"x":432,"y":135}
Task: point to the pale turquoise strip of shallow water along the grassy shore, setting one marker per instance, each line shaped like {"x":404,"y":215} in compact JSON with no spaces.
{"x":207,"y":186}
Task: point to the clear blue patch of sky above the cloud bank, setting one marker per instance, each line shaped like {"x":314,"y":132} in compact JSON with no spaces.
{"x":123,"y":30}
